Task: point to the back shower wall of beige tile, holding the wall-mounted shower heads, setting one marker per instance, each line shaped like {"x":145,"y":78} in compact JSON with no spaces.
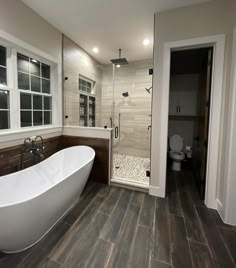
{"x":135,"y":110}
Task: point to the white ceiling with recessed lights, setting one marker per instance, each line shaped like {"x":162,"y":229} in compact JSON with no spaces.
{"x":107,"y":24}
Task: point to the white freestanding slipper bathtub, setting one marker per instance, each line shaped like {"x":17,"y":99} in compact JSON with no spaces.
{"x":33,"y":200}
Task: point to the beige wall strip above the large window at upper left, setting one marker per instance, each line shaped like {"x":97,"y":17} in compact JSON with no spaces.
{"x":19,"y":20}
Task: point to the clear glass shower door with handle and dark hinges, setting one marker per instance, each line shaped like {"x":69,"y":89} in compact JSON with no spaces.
{"x":131,"y":121}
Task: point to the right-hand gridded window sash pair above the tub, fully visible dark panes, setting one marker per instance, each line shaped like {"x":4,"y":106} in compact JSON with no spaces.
{"x":35,"y":92}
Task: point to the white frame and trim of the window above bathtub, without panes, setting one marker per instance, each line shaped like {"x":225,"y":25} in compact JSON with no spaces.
{"x":14,"y":46}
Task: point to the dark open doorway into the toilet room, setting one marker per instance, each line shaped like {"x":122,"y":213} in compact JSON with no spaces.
{"x":189,"y":115}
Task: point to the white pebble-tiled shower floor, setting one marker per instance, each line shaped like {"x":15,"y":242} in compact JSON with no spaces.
{"x":131,"y":168}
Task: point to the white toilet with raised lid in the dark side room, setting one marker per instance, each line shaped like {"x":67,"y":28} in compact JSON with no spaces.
{"x":176,"y":154}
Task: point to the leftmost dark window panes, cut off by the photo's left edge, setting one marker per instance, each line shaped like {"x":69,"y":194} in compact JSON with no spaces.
{"x":4,"y":91}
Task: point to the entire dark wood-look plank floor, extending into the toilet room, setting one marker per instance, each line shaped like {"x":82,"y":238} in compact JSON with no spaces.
{"x":113,"y":227}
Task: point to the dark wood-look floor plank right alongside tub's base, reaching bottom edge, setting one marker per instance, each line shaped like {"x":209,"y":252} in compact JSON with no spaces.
{"x":40,"y":252}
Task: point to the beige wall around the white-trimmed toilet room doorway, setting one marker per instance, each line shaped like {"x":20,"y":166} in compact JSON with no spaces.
{"x":207,"y":19}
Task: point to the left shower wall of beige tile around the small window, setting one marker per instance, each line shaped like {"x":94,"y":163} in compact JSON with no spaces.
{"x":77,"y":62}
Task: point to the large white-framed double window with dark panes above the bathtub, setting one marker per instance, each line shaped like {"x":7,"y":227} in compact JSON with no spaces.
{"x":30,"y":88}
